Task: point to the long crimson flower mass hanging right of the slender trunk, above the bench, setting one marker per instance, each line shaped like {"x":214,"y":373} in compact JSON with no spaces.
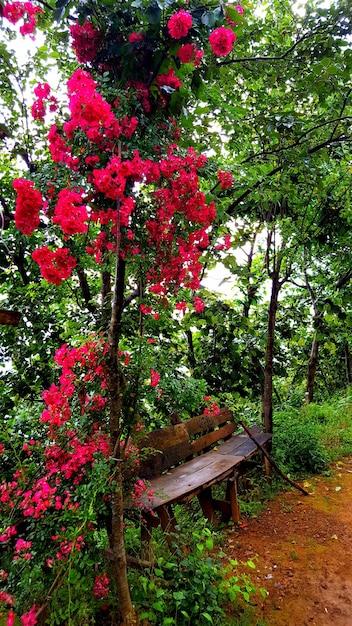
{"x":179,"y":250}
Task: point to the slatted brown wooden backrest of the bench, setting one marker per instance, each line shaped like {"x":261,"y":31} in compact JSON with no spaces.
{"x":170,"y":446}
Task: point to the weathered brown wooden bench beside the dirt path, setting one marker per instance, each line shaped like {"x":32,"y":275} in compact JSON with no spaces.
{"x":186,"y":460}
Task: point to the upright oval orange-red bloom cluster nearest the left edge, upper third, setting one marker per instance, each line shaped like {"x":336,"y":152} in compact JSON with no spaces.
{"x":28,"y":204}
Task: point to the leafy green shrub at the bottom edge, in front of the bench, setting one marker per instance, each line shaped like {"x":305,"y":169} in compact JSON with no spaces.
{"x":189,"y":589}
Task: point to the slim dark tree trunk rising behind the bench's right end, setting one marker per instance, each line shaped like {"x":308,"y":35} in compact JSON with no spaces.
{"x":267,"y":409}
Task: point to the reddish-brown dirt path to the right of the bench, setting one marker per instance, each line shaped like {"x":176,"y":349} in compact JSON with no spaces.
{"x":304,"y":548}
